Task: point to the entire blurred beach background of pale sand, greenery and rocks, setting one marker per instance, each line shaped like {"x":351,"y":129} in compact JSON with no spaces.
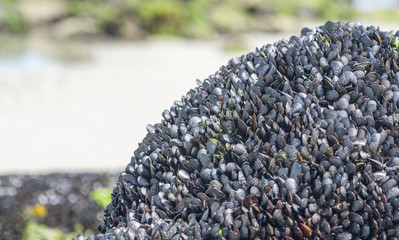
{"x":80,"y":80}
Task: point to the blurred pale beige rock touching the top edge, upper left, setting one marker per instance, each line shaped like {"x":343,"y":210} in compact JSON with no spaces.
{"x":39,"y":12}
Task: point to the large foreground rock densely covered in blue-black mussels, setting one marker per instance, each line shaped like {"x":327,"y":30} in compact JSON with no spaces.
{"x":298,"y":139}
